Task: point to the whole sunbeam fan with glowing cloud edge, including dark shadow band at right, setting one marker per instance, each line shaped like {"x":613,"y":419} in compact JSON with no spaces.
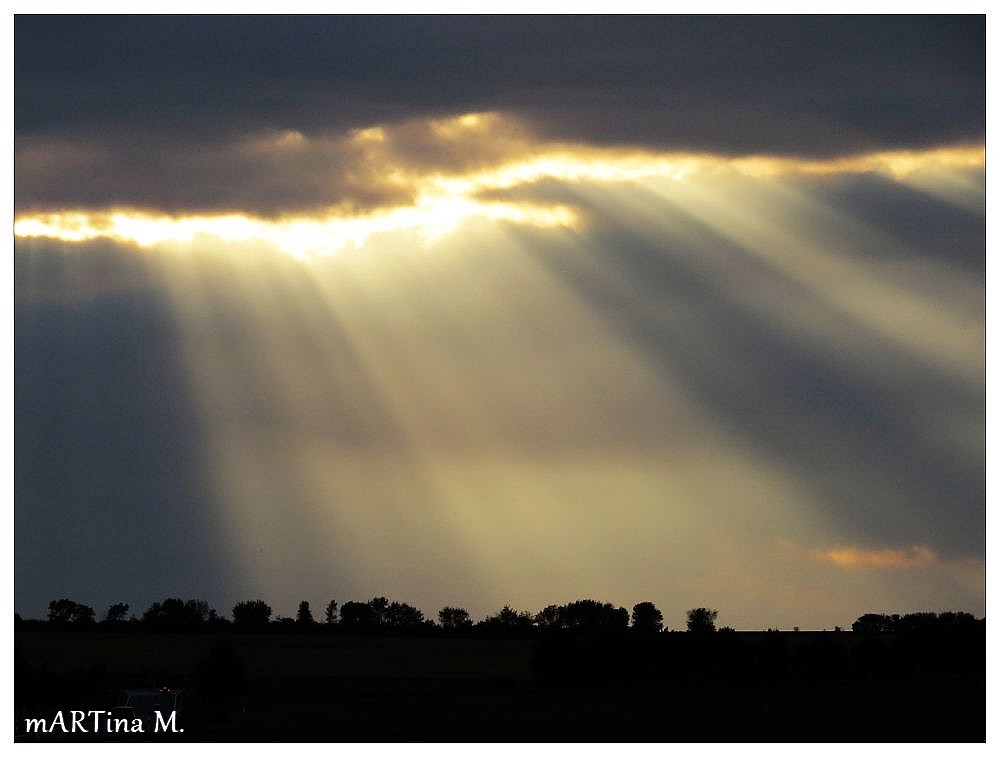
{"x":560,"y":372}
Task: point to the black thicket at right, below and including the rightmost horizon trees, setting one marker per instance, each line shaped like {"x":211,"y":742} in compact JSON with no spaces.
{"x":920,"y":644}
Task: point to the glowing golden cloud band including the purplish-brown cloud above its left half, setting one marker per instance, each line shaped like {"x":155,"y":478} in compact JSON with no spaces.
{"x":317,"y":194}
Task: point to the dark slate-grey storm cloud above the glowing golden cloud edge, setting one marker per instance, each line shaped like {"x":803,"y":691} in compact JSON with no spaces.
{"x":158,"y":96}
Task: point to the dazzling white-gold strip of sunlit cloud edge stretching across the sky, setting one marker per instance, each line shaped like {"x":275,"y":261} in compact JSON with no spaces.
{"x":443,"y":200}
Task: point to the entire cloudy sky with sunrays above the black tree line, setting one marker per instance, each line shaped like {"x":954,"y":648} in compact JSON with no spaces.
{"x":484,"y":310}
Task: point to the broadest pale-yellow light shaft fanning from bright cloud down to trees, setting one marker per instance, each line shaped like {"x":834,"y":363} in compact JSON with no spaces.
{"x":414,"y":422}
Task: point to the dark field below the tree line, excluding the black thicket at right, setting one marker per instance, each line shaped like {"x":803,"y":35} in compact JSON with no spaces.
{"x":333,"y":687}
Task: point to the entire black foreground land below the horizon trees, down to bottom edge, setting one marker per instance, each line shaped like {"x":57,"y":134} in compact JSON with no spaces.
{"x":741,"y":686}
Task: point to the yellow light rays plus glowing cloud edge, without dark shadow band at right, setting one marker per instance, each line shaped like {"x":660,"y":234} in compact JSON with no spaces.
{"x":482,"y":405}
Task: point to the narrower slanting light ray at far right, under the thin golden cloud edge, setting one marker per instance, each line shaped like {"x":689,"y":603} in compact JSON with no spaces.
{"x":819,"y":250}
